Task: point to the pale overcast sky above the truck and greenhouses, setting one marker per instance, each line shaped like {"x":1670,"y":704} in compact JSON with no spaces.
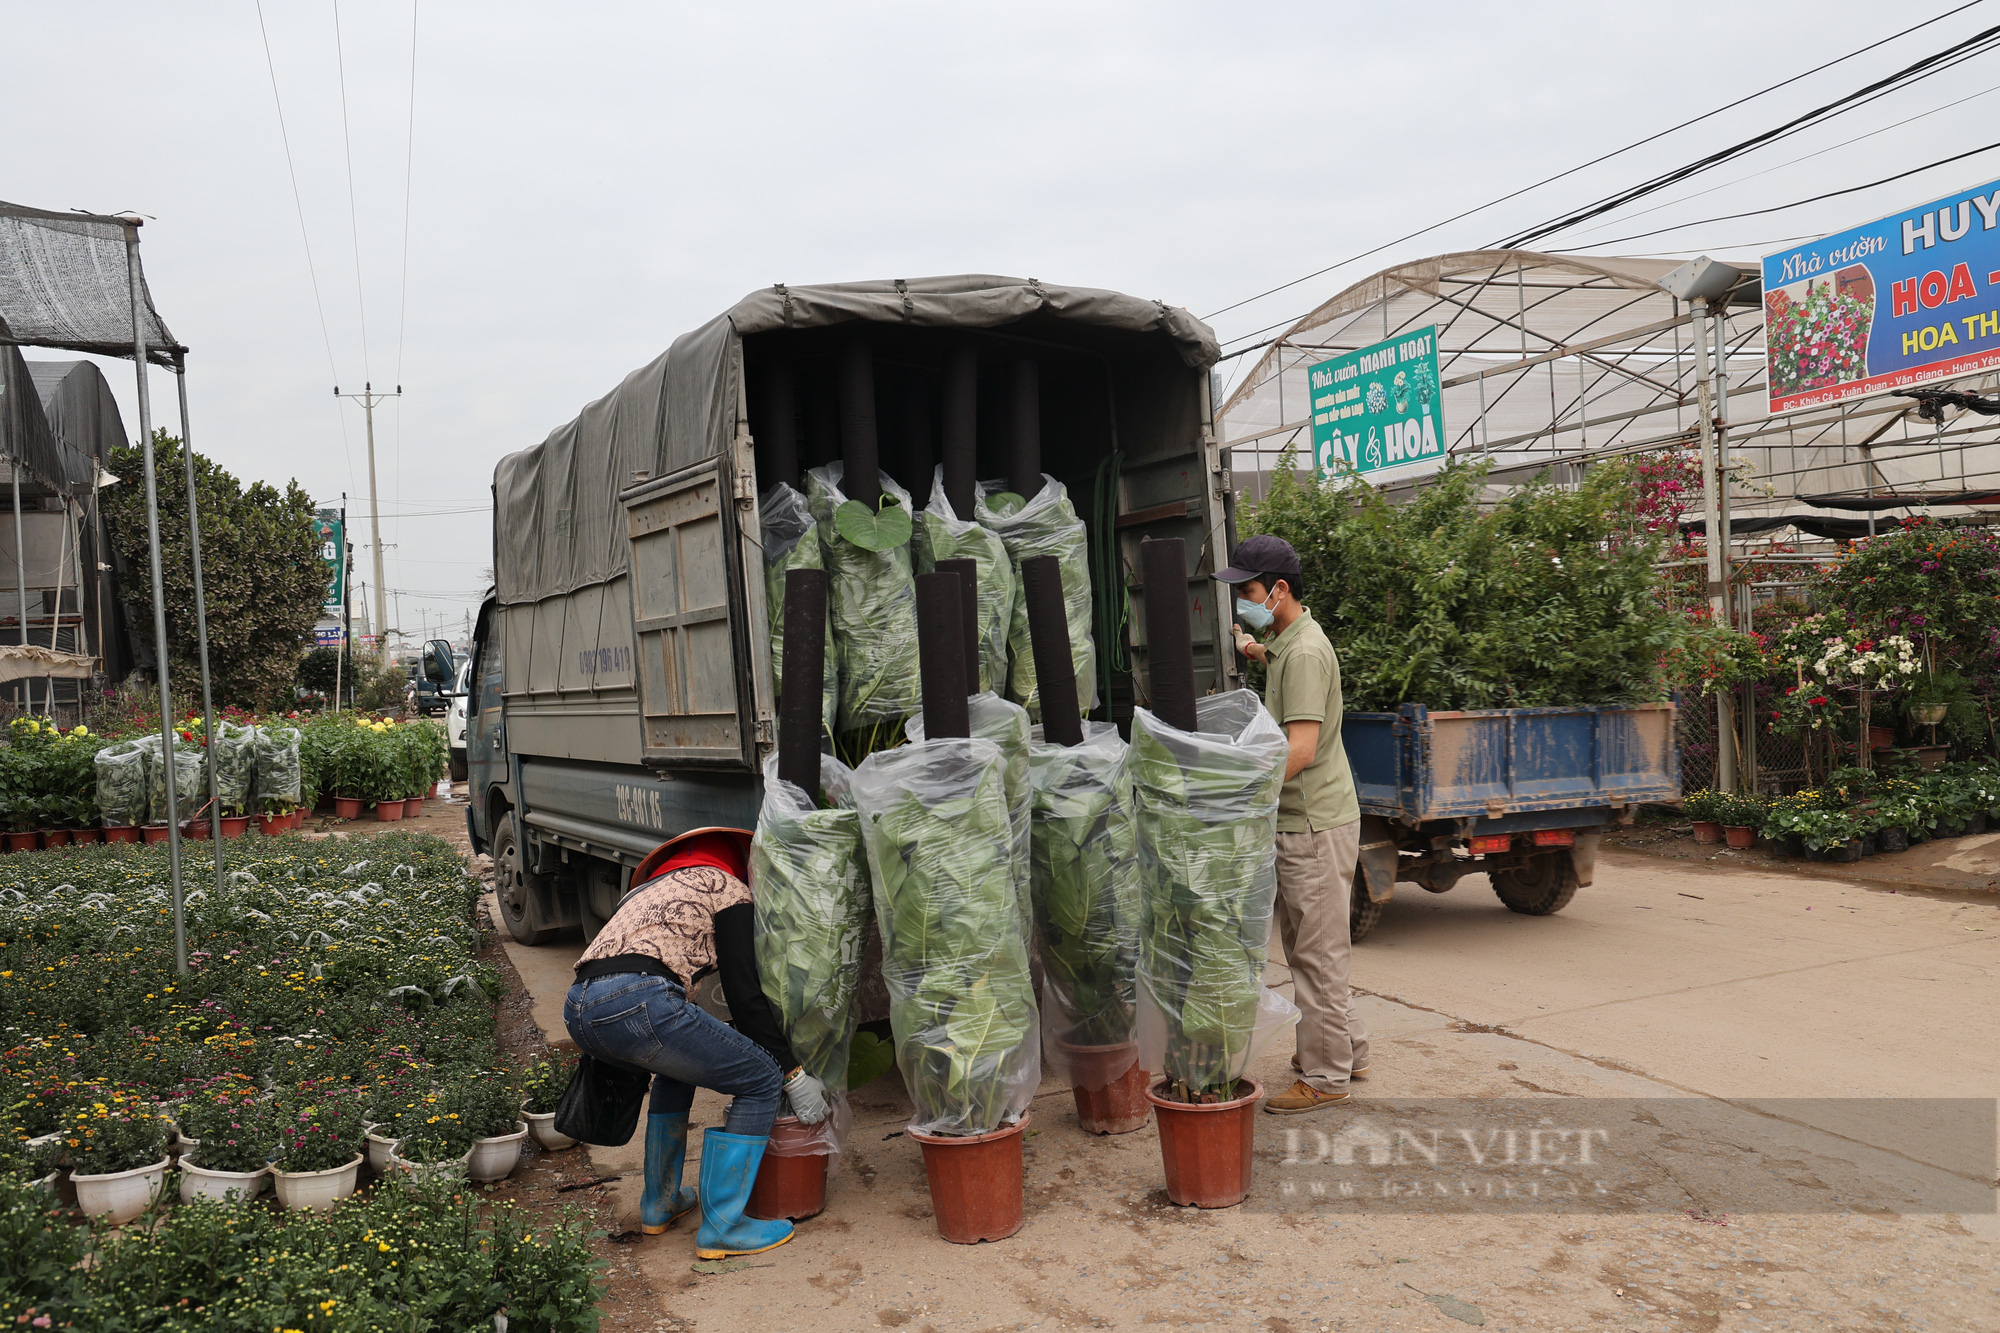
{"x":591,"y":181}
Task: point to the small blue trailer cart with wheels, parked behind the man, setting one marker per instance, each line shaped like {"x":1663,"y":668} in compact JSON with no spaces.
{"x":1517,"y":794}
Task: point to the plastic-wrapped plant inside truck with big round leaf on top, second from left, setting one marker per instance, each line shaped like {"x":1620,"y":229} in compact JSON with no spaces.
{"x":871,"y":605}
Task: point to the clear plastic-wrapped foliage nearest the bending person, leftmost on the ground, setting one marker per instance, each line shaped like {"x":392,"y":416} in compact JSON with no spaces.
{"x":809,"y":880}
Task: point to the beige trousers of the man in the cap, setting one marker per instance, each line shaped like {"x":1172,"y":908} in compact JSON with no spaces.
{"x":1315,"y":878}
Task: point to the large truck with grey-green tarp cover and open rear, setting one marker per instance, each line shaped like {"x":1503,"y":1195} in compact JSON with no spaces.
{"x":623,"y":684}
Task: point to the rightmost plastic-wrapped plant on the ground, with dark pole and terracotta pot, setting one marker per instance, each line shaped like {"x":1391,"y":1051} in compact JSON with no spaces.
{"x":1205,"y":812}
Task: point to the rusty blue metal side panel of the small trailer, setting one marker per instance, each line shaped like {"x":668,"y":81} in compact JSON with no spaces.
{"x":1417,"y":766}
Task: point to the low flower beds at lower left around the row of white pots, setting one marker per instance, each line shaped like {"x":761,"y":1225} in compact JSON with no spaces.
{"x":331,"y":982}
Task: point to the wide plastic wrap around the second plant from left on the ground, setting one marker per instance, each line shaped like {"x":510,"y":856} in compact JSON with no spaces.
{"x":961,"y":1002}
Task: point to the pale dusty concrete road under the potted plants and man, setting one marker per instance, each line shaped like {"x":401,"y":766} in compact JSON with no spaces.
{"x":1739,"y":1006}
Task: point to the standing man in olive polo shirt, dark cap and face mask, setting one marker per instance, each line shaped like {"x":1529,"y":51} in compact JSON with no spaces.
{"x":1319,"y":822}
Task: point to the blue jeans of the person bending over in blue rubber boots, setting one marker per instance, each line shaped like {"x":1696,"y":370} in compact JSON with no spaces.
{"x":647,"y":1024}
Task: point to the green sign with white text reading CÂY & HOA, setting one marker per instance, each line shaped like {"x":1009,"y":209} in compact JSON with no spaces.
{"x":1377,"y":407}
